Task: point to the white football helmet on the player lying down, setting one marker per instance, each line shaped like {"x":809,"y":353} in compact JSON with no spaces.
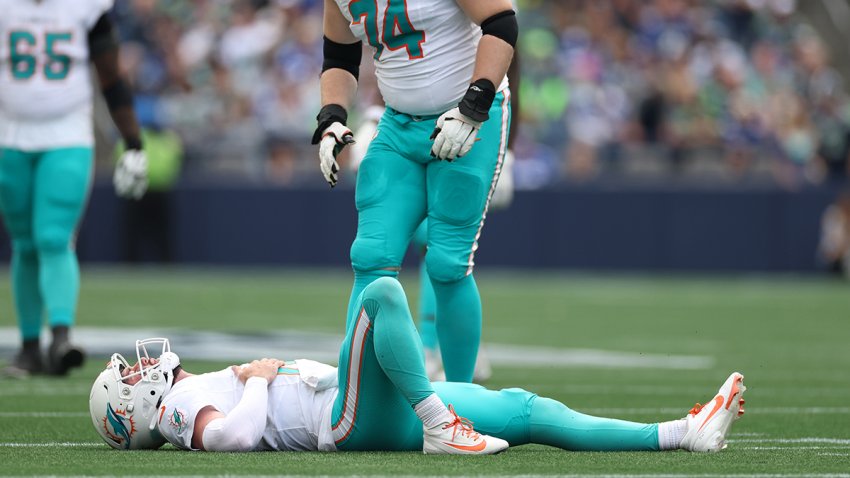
{"x":125,"y":415}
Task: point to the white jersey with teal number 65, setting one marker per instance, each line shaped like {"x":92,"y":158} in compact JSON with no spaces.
{"x":45,"y":80}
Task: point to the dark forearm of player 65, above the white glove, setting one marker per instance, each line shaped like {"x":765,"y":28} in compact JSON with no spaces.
{"x":118,"y":98}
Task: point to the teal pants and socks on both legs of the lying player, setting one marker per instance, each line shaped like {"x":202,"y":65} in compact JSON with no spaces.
{"x":382,"y":377}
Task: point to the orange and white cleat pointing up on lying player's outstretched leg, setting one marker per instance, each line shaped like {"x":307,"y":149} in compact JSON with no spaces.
{"x":708,"y":424}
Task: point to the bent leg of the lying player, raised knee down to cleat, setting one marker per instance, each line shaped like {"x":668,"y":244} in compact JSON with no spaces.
{"x":386,"y":402}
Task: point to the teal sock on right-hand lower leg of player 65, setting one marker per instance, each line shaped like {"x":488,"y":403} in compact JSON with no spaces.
{"x":60,"y":285}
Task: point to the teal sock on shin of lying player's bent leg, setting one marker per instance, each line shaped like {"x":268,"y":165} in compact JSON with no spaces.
{"x":396,"y":342}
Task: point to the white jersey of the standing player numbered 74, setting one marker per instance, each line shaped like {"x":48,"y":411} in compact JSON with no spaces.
{"x":424,"y":50}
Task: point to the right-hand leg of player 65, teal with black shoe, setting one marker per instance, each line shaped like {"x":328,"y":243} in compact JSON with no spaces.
{"x":62,"y":180}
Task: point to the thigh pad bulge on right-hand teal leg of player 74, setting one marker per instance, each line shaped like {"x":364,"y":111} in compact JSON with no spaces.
{"x":461,"y":203}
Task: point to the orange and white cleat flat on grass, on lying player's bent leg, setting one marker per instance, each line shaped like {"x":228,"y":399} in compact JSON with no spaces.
{"x":459,"y":438}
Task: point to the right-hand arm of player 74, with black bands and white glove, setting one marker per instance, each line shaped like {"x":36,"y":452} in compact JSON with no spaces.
{"x":456,"y":129}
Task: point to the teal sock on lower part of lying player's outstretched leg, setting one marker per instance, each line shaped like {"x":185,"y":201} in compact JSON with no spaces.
{"x":553,"y":423}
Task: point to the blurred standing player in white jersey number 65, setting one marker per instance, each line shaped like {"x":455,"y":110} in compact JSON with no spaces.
{"x":46,"y":158}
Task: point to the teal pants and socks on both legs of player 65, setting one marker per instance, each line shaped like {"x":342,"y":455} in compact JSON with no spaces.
{"x":42,"y":195}
